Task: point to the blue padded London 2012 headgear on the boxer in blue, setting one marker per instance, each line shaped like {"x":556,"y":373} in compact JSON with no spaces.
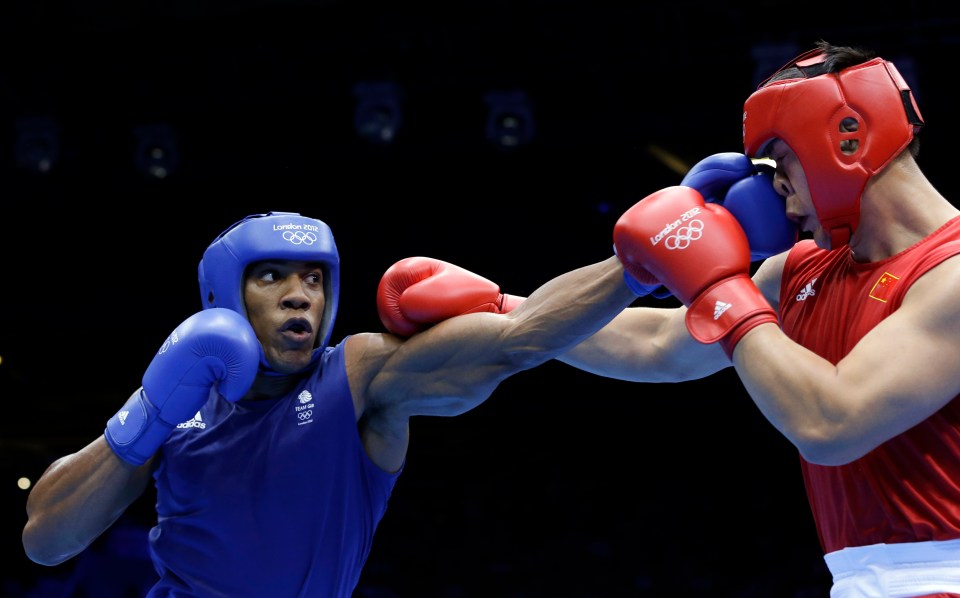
{"x":271,"y":236}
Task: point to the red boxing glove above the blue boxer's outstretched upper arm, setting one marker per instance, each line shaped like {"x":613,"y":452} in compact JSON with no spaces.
{"x":419,"y":291}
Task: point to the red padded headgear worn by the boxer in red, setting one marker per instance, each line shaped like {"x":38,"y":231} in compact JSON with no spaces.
{"x":809,"y":114}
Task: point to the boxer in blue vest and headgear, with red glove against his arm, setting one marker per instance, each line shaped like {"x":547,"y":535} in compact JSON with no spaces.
{"x":273,"y":453}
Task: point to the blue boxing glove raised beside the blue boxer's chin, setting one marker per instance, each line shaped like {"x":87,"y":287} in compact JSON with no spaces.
{"x":212,"y":348}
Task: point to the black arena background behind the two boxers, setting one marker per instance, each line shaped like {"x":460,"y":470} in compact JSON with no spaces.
{"x":562,"y":483}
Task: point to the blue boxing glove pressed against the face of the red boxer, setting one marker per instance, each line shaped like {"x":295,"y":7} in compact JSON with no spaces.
{"x":745,"y":189}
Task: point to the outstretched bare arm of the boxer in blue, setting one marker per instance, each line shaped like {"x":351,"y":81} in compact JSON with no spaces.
{"x":454,"y":365}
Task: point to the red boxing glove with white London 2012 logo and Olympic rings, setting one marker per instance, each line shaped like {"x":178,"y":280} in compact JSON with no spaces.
{"x":700,"y":252}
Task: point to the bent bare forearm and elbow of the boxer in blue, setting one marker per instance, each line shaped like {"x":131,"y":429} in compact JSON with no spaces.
{"x":76,"y":499}
